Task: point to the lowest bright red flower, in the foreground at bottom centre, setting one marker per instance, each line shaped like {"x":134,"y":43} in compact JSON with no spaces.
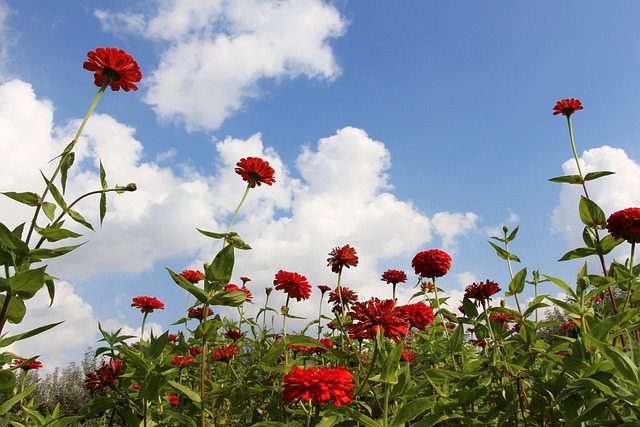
{"x":319,"y":385}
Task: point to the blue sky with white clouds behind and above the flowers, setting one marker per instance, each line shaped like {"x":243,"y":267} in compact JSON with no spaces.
{"x":394,"y":127}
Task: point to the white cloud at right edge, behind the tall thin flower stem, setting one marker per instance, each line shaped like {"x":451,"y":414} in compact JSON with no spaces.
{"x":611,"y":193}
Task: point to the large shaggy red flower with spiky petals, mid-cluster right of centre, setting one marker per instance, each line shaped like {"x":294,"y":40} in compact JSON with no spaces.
{"x":373,"y":315}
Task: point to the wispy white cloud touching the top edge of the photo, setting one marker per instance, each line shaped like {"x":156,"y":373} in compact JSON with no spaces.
{"x":215,"y":53}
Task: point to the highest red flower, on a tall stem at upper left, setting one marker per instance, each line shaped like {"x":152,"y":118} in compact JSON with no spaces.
{"x":113,"y":64}
